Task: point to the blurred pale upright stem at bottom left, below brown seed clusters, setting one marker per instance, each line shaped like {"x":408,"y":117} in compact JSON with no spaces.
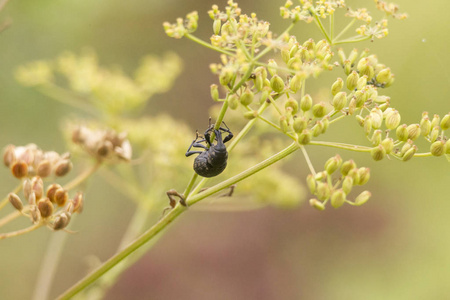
{"x":49,"y":265}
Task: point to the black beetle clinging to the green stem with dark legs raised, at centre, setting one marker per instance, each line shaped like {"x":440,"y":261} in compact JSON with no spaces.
{"x":213,"y":160}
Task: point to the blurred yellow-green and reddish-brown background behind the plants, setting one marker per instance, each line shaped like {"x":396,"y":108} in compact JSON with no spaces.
{"x":395,"y":247}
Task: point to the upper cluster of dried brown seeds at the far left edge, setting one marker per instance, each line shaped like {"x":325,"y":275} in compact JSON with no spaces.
{"x":29,"y":160}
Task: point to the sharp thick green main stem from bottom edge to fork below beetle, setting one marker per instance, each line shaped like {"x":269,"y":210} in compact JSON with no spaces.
{"x":136,"y":244}
